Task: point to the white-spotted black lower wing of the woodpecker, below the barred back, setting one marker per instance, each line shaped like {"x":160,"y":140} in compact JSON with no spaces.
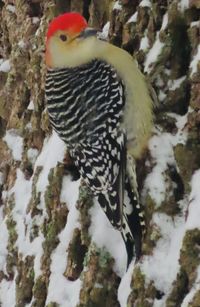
{"x":102,"y":167}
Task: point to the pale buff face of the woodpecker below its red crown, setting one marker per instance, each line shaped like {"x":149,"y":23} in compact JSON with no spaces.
{"x":64,"y":50}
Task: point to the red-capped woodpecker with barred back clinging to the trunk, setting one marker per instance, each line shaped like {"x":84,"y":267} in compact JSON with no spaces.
{"x":99,"y":104}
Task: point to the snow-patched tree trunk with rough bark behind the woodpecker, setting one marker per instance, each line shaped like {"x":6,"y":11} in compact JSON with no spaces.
{"x":51,"y":251}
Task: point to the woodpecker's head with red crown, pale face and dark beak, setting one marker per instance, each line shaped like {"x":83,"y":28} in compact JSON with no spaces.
{"x":69,"y":41}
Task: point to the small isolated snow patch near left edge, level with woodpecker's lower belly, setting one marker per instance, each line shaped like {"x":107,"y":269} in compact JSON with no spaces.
{"x":14,"y":143}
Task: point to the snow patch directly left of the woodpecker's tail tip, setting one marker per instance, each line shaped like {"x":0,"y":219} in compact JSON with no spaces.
{"x":104,"y":235}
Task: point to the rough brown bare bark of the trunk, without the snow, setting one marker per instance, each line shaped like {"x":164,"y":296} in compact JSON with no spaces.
{"x":22,"y":29}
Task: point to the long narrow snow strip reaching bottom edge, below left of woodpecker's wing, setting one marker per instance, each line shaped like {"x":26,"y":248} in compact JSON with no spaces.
{"x":61,"y":290}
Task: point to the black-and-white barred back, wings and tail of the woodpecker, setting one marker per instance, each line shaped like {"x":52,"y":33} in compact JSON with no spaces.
{"x":86,"y":105}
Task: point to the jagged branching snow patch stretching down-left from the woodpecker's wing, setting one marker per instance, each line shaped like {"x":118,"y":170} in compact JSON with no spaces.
{"x":52,"y":152}
